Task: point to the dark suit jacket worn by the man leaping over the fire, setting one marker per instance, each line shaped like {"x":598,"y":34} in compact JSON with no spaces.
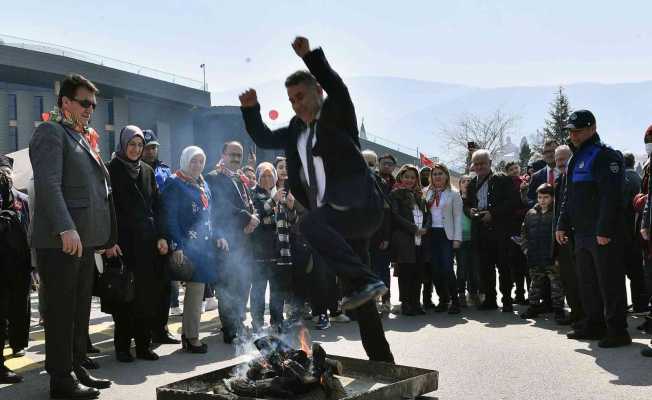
{"x":349,"y":182}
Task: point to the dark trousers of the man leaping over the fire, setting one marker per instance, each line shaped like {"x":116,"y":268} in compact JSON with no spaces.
{"x":341,"y":240}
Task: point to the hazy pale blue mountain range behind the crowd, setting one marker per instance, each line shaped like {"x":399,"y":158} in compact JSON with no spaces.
{"x":413,"y":113}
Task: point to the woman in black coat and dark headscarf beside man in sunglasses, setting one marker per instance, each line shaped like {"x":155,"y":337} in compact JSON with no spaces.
{"x":140,"y":241}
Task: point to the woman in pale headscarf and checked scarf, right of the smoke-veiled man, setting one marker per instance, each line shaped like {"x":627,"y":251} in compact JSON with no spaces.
{"x":271,"y":247}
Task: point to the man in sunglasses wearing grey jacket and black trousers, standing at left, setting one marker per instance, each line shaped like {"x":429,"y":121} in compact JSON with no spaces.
{"x":73,"y":217}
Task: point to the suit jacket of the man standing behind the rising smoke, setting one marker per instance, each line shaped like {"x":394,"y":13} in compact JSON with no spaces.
{"x":229,"y":213}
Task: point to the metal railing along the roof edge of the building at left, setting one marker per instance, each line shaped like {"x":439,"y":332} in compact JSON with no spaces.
{"x":98,"y":59}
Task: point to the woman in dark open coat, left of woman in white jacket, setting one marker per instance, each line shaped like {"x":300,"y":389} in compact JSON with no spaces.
{"x":409,"y":243}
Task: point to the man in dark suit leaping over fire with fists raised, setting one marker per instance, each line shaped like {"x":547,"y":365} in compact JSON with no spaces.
{"x":328,"y":175}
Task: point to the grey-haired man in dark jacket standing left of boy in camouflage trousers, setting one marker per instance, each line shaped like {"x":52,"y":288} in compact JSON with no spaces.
{"x":490,"y":204}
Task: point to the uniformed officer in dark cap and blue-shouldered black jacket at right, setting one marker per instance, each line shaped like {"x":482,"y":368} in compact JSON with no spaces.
{"x":592,"y":209}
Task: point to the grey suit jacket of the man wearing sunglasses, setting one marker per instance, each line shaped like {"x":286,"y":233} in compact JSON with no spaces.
{"x":70,"y":189}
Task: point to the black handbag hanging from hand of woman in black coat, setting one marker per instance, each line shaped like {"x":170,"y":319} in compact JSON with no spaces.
{"x":116,"y":283}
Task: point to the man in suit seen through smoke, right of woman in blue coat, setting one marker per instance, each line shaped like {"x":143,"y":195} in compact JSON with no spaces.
{"x":234,"y":213}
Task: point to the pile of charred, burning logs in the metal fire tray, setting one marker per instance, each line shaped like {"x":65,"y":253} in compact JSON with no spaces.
{"x":281,"y":371}
